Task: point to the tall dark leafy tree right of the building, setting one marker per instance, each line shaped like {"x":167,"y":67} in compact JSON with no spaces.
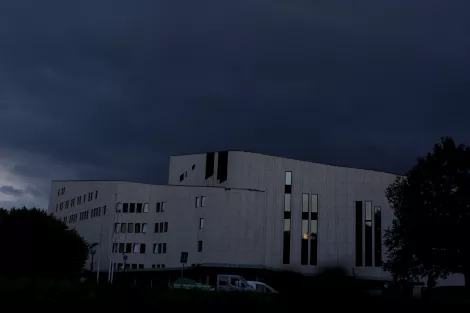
{"x":431,"y":204}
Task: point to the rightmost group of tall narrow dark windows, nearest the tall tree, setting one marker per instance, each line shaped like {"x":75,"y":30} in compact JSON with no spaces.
{"x":372,"y":229}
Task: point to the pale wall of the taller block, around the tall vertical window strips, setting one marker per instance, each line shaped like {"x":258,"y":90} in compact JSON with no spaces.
{"x":338,"y":189}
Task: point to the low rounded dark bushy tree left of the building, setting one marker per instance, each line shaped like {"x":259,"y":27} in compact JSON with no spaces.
{"x":35,"y":244}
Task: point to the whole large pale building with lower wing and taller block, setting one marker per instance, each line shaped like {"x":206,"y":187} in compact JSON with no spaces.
{"x":238,"y":208}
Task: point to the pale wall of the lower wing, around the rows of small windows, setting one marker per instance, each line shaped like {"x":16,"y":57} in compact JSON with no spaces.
{"x":234,"y":223}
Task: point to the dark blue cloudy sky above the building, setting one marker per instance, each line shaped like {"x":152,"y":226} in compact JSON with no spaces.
{"x":108,"y":89}
